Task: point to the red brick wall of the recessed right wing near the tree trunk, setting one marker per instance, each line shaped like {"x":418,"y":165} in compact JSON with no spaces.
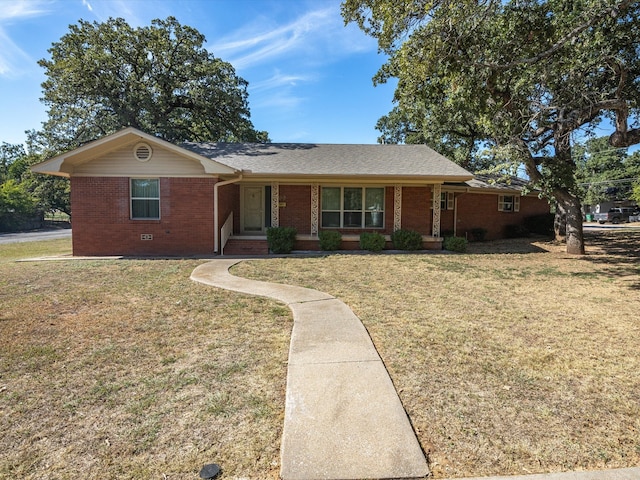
{"x":481,"y":211}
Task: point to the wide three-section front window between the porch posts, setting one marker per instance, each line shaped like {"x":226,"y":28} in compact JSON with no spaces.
{"x":352,"y":207}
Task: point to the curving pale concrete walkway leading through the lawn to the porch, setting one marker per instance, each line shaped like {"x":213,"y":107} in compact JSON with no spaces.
{"x":343,"y":417}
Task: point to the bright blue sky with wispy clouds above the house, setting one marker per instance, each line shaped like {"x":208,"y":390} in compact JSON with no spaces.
{"x":309,"y":75}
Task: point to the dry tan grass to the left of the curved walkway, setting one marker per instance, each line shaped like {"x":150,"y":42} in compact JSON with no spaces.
{"x":127,"y":369}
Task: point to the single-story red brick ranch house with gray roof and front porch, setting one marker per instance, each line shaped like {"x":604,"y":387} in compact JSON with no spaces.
{"x":135,"y":194}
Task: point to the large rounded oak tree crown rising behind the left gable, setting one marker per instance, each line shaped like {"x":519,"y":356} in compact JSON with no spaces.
{"x":102,"y":77}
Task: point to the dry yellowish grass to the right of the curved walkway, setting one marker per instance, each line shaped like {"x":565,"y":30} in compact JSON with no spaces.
{"x":507,"y":363}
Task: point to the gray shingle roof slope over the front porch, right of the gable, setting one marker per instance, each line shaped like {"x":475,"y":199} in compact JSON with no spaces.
{"x":291,"y":159}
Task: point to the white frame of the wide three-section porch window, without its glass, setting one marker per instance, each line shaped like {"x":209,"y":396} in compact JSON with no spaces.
{"x":362,"y":211}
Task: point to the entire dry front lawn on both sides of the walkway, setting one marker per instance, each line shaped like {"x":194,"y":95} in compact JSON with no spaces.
{"x":507,"y":363}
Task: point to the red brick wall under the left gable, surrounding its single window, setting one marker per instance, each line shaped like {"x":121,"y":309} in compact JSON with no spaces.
{"x":101,"y":223}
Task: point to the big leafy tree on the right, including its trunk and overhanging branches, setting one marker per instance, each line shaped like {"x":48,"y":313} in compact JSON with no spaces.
{"x":524,"y":76}
